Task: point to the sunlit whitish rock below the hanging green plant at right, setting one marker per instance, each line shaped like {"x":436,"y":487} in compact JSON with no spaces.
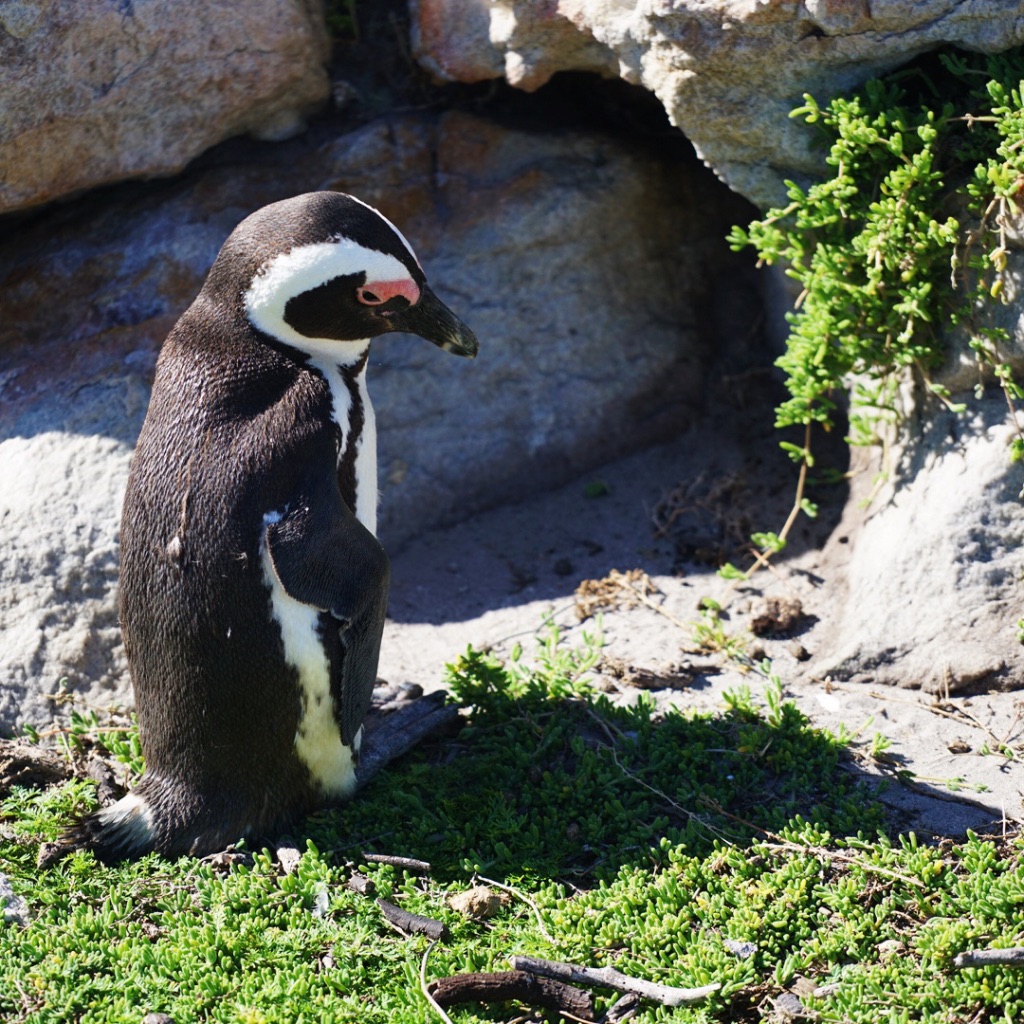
{"x":932,"y":566}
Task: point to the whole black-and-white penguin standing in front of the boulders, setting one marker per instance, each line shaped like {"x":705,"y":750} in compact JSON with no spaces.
{"x":253,"y":589}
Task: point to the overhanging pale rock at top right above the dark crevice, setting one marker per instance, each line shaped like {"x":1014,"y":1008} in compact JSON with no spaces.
{"x":729,"y":72}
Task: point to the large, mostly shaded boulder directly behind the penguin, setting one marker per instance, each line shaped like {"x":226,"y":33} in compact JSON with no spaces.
{"x":589,"y":273}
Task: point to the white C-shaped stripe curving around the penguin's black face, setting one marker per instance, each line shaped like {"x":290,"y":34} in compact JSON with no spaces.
{"x":306,"y":268}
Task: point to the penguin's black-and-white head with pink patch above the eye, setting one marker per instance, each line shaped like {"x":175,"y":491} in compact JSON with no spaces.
{"x":324,"y":273}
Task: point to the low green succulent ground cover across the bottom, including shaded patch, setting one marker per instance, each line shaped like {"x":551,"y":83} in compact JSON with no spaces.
{"x":646,"y":842}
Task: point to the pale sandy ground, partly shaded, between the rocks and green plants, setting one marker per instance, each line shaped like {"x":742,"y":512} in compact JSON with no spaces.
{"x":497,"y":579}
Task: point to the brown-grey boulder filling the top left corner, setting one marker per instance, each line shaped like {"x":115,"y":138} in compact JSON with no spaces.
{"x":96,"y":92}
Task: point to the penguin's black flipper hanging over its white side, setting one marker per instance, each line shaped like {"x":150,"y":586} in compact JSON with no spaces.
{"x":324,"y":558}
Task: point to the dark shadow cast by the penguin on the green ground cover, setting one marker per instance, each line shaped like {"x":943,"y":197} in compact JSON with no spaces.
{"x":570,"y":788}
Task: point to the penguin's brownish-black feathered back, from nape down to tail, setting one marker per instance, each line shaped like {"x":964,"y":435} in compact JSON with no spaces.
{"x":234,"y":430}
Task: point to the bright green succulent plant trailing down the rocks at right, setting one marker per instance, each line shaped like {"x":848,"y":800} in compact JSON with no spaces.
{"x":905,"y":239}
